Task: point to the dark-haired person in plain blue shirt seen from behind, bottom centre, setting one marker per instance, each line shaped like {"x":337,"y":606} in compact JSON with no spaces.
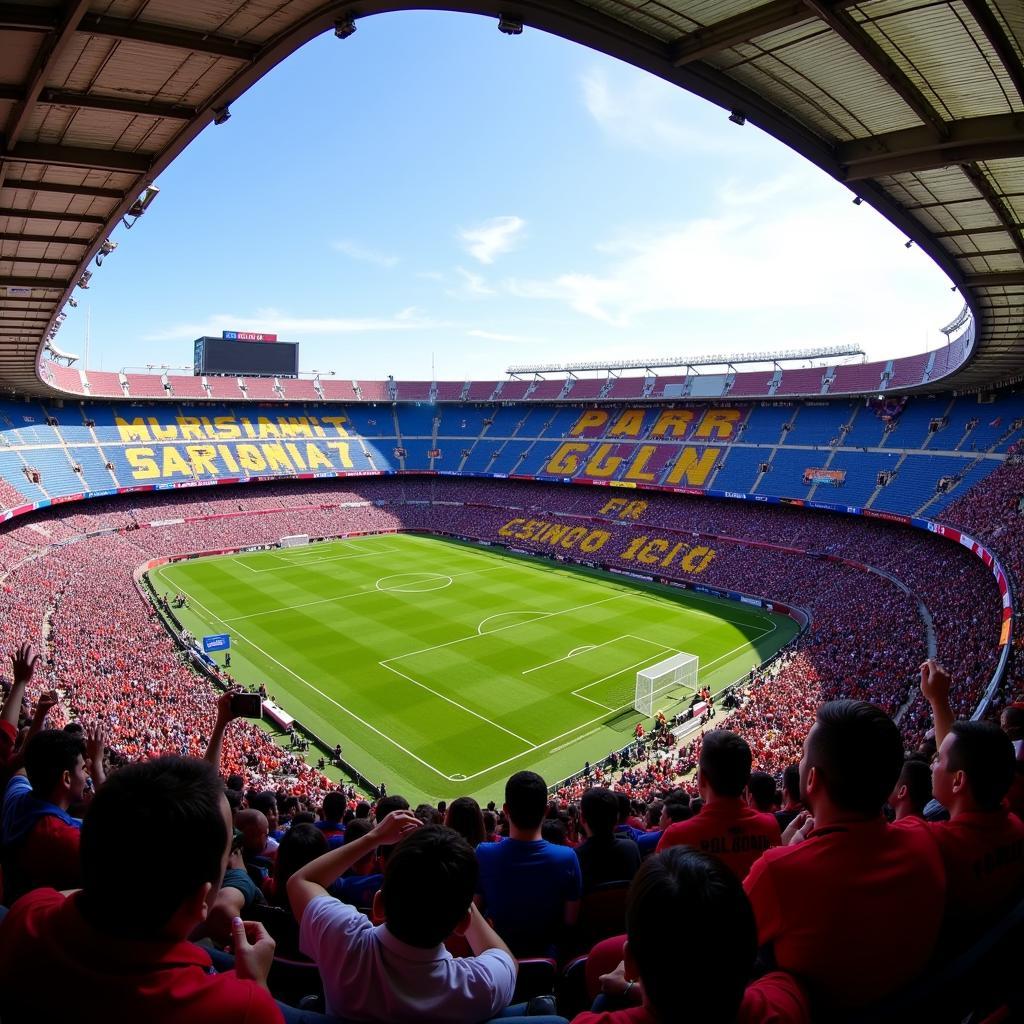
{"x":529,"y":887}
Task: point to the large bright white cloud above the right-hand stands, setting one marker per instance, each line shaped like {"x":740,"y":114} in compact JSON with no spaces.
{"x":815,"y":268}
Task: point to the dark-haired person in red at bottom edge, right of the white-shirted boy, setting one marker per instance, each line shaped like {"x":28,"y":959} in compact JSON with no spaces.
{"x":685,"y":885}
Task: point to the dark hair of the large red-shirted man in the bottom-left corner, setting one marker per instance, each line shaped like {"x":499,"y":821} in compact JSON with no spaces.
{"x":170,"y":796}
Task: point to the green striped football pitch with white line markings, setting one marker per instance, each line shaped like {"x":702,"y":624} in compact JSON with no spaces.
{"x":442,"y":667}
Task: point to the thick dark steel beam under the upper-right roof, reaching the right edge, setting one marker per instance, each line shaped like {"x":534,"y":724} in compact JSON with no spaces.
{"x":996,"y":138}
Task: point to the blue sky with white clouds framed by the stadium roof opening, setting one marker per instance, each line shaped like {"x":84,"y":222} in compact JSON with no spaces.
{"x":432,"y":190}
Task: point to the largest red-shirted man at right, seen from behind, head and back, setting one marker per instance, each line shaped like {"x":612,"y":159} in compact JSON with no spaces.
{"x":855,"y":910}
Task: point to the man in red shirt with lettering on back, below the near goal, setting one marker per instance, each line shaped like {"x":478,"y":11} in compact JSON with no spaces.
{"x":727,"y":827}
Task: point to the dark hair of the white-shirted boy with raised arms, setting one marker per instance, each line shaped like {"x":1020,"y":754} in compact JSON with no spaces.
{"x":430,"y":883}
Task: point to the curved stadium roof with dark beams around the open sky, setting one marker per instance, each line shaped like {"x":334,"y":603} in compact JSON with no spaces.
{"x":917,"y":105}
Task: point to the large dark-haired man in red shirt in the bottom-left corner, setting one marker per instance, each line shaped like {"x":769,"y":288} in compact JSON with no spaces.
{"x":120,"y":944}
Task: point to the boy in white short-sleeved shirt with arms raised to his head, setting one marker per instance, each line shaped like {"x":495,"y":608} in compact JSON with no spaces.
{"x":400,"y":971}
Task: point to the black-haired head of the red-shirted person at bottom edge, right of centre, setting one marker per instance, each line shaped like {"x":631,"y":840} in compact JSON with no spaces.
{"x":678,"y":885}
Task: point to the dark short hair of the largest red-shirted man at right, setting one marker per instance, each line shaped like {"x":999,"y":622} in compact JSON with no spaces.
{"x":858,"y":749}
